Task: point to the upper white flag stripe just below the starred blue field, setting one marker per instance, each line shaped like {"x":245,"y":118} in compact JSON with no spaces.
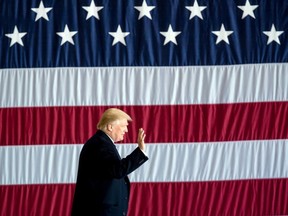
{"x":143,"y":85}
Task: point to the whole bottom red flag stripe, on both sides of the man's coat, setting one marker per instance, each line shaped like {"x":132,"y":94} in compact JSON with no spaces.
{"x":247,"y":197}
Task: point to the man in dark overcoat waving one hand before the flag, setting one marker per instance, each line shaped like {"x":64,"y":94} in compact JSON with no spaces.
{"x":102,"y":186}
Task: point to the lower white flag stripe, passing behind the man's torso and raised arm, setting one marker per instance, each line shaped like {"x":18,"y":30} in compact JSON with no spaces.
{"x":167,"y":162}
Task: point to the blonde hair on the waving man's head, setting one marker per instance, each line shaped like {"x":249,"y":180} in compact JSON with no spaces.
{"x":111,"y":115}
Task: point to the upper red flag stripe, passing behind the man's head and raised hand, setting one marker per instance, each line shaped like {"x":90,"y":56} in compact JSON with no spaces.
{"x":177,"y":123}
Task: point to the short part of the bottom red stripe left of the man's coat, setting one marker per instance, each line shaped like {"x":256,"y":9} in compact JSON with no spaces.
{"x":36,"y":200}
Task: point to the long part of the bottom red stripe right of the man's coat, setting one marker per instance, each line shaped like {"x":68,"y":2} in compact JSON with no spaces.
{"x":251,"y":197}
